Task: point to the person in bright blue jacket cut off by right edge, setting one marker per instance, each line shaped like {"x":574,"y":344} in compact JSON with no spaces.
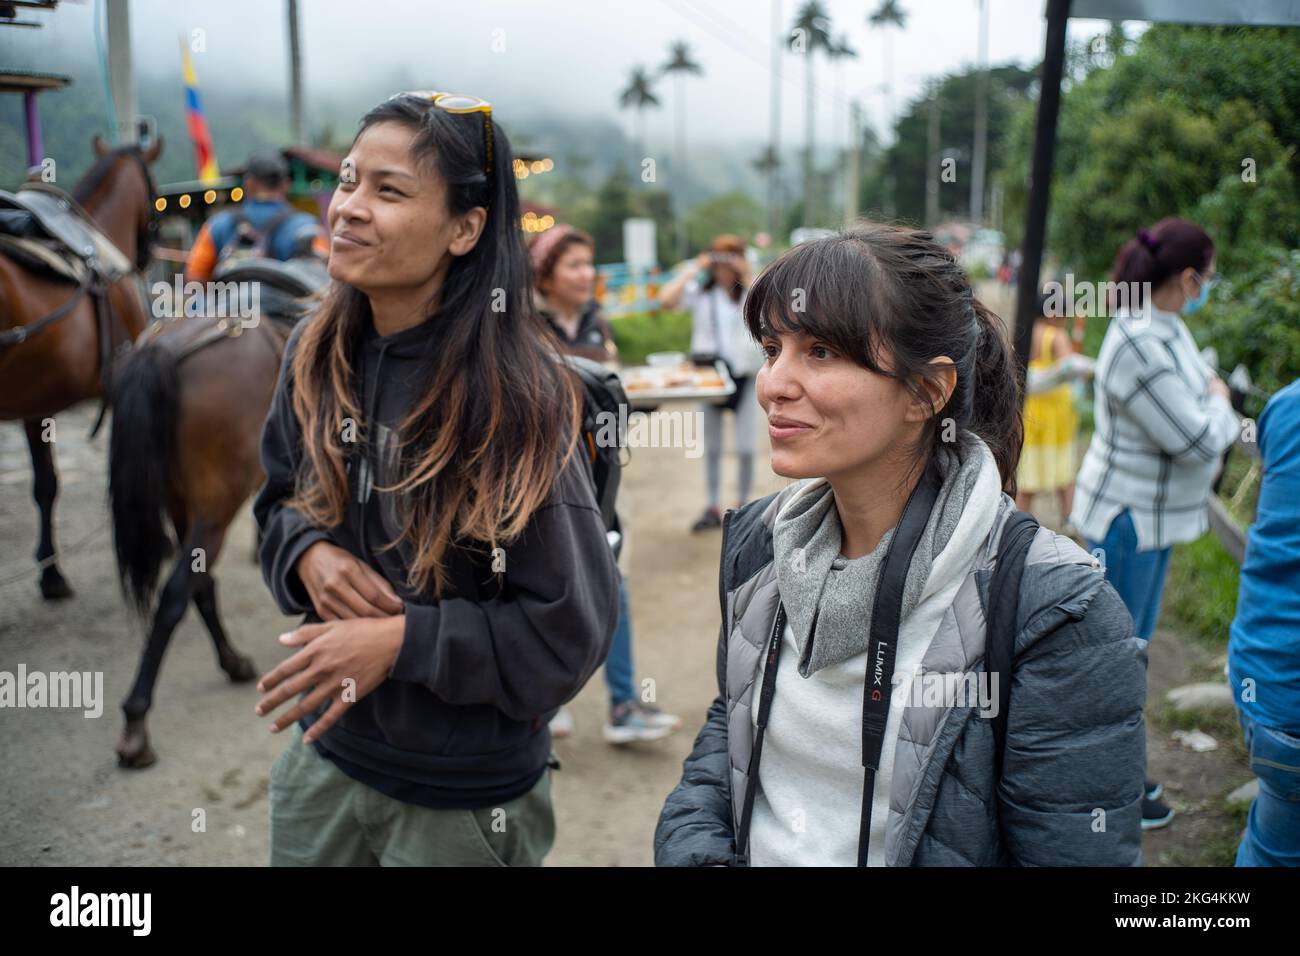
{"x":1264,"y":647}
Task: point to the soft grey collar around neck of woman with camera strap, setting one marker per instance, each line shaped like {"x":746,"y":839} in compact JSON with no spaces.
{"x":820,"y":587}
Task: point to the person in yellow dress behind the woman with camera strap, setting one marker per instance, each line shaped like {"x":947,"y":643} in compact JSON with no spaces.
{"x":1051,"y":422}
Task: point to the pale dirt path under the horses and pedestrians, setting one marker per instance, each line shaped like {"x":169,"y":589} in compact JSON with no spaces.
{"x":63,"y":801}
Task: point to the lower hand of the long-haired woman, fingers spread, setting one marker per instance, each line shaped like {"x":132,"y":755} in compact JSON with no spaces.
{"x":341,"y":660}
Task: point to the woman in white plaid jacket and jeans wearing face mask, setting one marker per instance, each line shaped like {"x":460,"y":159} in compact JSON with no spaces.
{"x":1163,"y":423}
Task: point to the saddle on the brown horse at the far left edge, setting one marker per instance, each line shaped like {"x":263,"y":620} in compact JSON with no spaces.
{"x":46,"y":230}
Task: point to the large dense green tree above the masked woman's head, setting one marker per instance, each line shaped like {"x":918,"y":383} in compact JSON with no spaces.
{"x":1164,"y":131}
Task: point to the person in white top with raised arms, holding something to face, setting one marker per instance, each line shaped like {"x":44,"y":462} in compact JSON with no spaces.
{"x":713,"y":288}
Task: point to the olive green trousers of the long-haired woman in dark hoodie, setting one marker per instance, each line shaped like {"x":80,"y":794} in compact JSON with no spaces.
{"x":323,"y":817}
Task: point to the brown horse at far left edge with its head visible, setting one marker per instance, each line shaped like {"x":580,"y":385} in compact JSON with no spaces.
{"x":60,"y":365}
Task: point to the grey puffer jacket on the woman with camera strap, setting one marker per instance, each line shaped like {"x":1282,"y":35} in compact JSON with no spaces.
{"x":1072,"y":785}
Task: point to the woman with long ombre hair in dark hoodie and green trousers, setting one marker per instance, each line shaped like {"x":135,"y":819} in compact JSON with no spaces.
{"x":426,"y":505}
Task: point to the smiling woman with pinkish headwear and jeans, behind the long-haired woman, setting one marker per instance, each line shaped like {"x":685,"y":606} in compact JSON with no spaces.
{"x":564,"y":262}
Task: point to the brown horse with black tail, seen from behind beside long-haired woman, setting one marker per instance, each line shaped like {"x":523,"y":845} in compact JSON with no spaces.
{"x":188,"y":413}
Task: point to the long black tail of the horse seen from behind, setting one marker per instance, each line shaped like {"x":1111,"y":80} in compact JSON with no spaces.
{"x":140,"y":456}
